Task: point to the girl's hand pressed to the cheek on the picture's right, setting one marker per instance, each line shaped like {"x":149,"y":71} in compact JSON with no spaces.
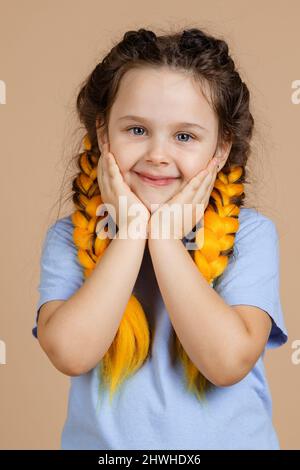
{"x":196,"y":191}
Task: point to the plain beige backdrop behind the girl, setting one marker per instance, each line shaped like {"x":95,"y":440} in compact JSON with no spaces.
{"x":46,"y":50}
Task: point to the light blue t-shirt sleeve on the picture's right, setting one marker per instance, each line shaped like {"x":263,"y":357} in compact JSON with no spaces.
{"x":252,"y":275}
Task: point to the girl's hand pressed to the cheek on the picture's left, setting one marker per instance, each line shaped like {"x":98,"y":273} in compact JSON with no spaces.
{"x":112,"y":186}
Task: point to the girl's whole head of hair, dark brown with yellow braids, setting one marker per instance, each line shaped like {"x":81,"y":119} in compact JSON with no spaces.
{"x":207,"y":58}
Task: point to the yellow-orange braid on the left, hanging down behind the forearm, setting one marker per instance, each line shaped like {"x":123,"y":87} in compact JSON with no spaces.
{"x":130,"y":346}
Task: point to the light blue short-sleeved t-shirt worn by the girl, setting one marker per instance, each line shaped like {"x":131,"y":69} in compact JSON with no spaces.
{"x":153,"y":409}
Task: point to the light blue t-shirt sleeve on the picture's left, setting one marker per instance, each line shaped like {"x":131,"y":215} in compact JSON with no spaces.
{"x":61,"y":274}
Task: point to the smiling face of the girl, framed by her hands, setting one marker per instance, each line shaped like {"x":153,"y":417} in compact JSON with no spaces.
{"x":172,"y":131}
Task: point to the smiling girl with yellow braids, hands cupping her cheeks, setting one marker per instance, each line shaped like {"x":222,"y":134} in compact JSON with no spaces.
{"x":164,"y":339}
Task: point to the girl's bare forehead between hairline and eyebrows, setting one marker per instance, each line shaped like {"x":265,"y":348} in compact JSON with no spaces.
{"x":163,"y":94}
